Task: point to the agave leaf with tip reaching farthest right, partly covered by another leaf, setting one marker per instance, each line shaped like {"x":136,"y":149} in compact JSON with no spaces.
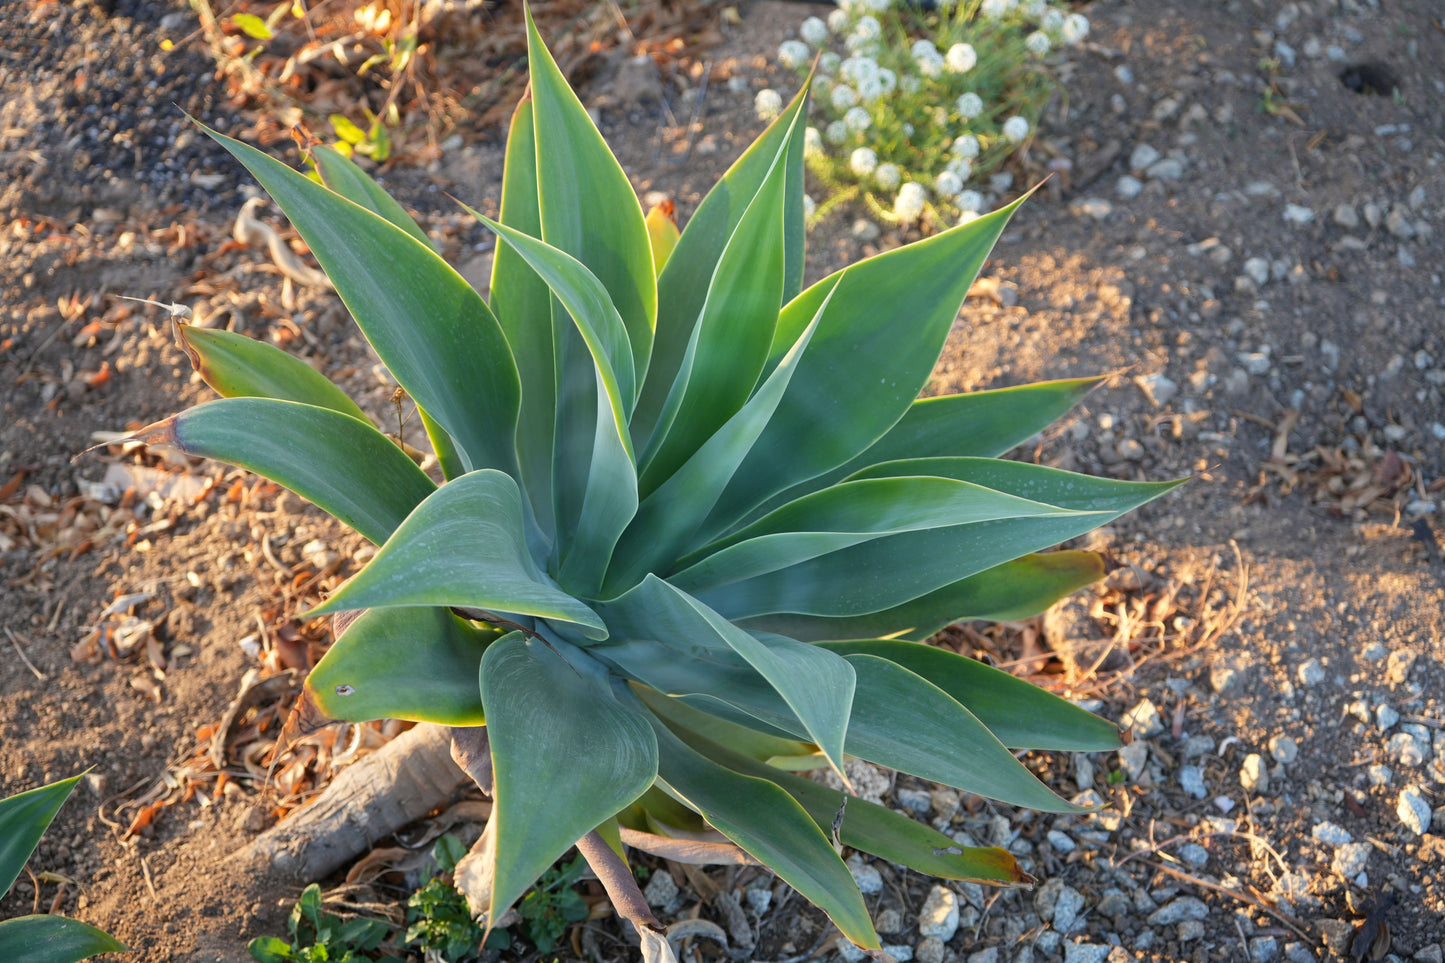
{"x":898,"y":569}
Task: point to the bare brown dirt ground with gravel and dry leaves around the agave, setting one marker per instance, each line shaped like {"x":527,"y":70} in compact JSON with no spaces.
{"x":1248,"y":236}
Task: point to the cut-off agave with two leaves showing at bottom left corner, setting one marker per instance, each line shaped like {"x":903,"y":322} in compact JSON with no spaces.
{"x":41,"y":938}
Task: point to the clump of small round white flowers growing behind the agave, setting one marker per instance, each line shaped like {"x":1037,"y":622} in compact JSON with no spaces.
{"x":915,"y":111}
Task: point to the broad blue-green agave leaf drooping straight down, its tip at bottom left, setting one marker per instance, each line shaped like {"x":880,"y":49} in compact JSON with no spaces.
{"x":566,"y":756}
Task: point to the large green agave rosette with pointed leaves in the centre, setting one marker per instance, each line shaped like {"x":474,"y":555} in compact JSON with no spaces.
{"x":693,"y":521}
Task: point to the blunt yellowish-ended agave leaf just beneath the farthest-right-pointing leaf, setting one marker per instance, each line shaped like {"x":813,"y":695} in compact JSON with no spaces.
{"x":1018,"y":589}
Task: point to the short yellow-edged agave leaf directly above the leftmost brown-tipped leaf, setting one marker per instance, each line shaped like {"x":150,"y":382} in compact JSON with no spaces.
{"x":238,"y":367}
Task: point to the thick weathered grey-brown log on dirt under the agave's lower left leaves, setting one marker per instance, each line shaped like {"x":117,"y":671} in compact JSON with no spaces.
{"x":400,"y":783}
